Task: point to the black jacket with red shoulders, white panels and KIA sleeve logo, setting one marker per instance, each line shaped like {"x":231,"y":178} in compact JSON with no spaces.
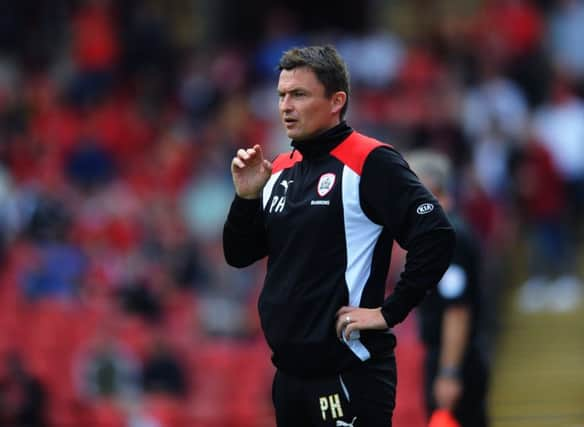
{"x":327,"y":221}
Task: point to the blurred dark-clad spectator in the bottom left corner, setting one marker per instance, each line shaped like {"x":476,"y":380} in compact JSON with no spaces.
{"x":23,"y":399}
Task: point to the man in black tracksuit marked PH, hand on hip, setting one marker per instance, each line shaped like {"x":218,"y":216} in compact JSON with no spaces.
{"x":326,"y":215}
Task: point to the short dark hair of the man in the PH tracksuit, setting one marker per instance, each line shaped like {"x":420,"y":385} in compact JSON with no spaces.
{"x":328,"y":66}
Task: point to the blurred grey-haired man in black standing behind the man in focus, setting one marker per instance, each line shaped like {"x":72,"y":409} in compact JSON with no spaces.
{"x":456,"y":373}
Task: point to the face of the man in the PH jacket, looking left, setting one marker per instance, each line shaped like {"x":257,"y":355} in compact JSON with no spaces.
{"x":305,"y":110}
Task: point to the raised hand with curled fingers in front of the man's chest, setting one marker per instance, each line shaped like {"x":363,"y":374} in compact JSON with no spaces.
{"x":250,"y":172}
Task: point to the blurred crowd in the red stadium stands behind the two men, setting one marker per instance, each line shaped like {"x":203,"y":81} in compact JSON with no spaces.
{"x":118,"y":121}
